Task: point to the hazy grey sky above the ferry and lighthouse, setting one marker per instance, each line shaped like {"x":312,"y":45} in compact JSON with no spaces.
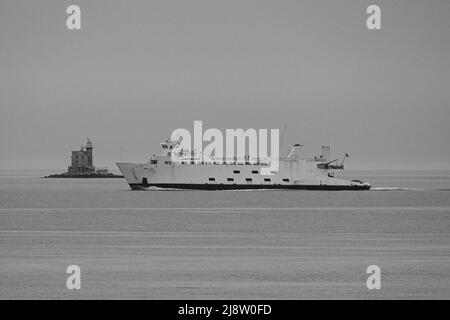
{"x":139,"y":69}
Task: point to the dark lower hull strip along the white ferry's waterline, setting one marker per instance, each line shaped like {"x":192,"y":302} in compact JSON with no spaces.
{"x":192,"y":186}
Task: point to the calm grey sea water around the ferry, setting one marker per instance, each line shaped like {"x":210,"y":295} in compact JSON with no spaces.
{"x":224,"y":244}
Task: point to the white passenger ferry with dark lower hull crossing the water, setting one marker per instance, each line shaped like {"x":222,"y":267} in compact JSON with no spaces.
{"x":191,"y":172}
